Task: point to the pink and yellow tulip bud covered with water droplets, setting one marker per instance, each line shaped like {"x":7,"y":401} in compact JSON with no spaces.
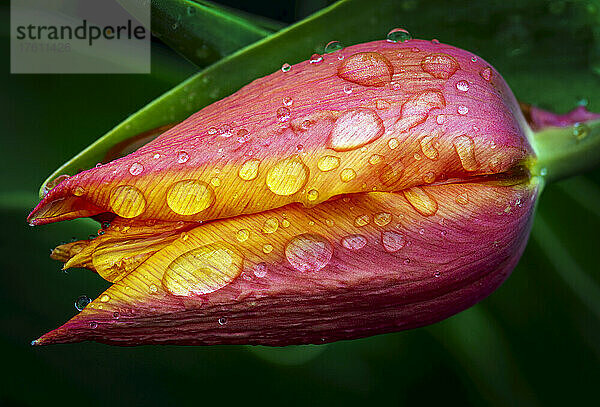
{"x":381,"y":187}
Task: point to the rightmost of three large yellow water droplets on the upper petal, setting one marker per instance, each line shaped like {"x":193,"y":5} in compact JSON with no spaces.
{"x":288,"y":176}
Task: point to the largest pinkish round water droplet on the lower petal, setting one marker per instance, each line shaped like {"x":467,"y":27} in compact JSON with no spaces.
{"x":308,"y":252}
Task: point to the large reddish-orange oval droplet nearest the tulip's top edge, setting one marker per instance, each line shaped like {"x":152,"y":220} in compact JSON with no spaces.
{"x":367,"y":69}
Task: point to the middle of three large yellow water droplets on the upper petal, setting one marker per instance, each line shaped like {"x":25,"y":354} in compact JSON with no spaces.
{"x":189,"y":197}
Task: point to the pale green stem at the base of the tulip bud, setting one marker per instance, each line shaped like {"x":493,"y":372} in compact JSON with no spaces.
{"x":566,"y":151}
